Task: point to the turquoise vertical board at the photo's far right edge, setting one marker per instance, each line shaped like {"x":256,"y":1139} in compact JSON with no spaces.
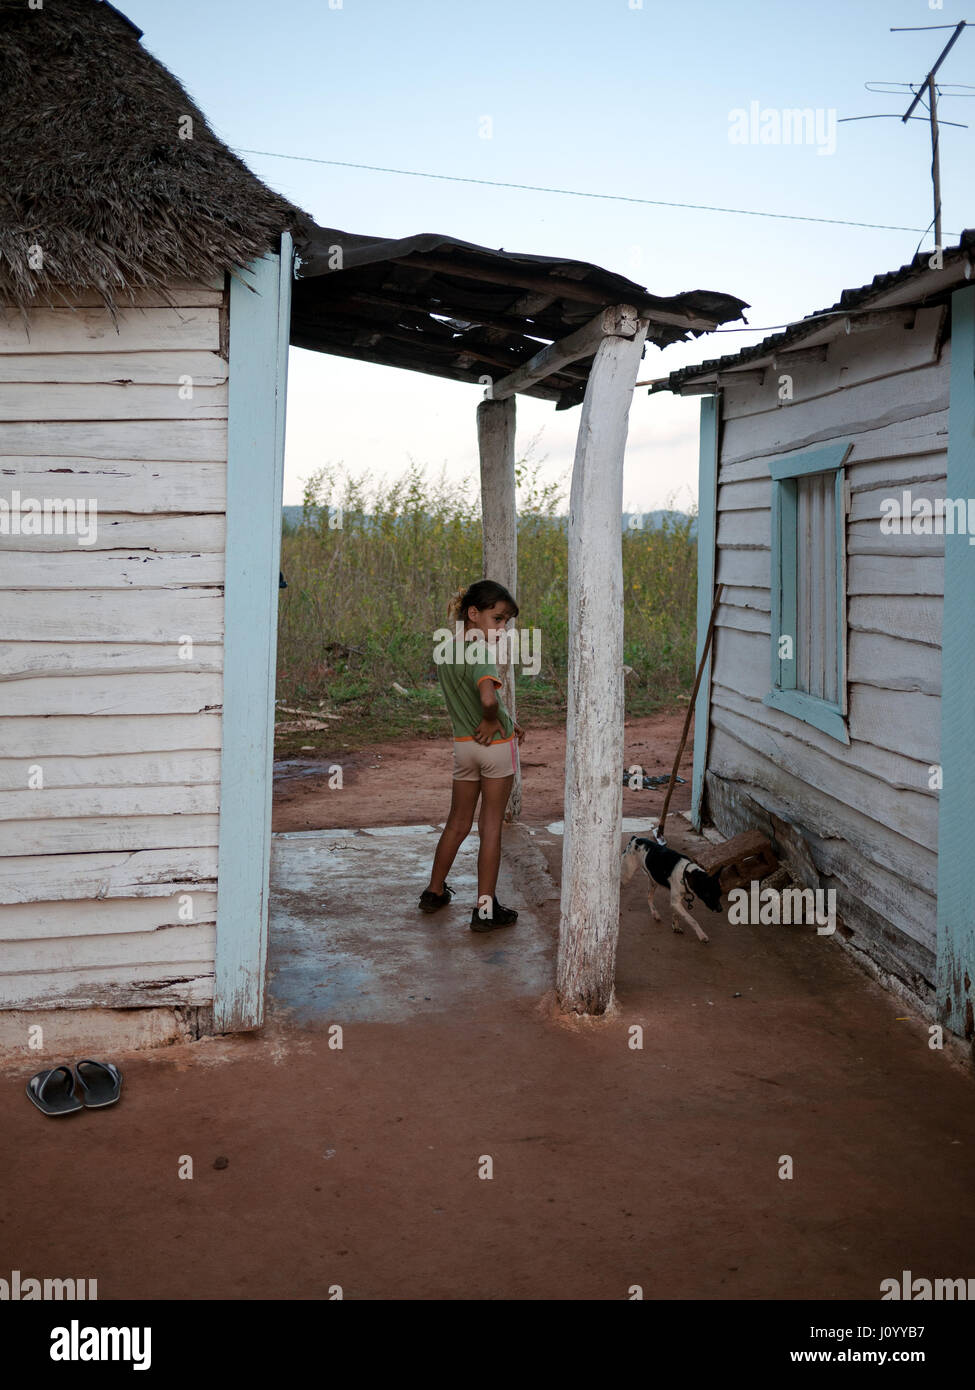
{"x":956,"y":819}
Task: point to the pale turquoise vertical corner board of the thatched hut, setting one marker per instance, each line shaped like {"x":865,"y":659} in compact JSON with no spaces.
{"x":259,"y":333}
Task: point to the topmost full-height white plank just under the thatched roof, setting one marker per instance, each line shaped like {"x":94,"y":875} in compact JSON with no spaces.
{"x":92,"y":330}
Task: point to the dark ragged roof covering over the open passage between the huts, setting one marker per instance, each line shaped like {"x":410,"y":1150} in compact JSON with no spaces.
{"x":454,"y":309}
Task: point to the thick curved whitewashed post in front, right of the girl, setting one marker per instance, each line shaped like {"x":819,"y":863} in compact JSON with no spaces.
{"x":589,"y":925}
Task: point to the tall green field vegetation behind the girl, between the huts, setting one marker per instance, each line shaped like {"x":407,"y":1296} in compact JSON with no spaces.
{"x":369,"y":584}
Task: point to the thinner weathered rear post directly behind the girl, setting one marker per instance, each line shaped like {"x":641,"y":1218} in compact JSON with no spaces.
{"x":496,"y":441}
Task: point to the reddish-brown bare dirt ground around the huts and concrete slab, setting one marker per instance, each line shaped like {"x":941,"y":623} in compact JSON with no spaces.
{"x":613,"y":1166}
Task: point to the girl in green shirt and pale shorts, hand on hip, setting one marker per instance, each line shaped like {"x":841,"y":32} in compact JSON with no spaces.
{"x":486,"y":742}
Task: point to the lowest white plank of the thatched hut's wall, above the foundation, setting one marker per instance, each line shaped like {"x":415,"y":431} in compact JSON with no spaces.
{"x":175,"y":983}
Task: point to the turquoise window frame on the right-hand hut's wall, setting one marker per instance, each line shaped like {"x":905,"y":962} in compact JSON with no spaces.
{"x":824,"y":715}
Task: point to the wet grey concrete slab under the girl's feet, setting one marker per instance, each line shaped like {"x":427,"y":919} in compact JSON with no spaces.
{"x":347,"y":938}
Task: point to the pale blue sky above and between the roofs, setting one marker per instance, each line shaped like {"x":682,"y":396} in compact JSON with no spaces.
{"x":603,"y":97}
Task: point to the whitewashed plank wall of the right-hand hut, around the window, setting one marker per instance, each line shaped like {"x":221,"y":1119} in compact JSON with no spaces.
{"x":867,"y":812}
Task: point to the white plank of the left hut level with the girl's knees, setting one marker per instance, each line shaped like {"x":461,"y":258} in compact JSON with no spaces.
{"x":95,"y":835}
